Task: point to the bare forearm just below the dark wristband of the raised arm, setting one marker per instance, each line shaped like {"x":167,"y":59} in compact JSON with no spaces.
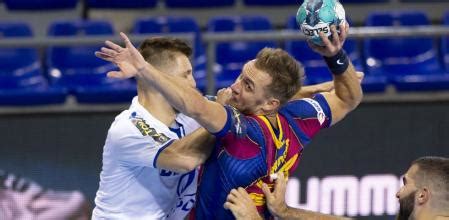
{"x":348,"y":88}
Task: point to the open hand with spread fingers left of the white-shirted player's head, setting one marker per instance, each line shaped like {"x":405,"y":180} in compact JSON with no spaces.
{"x":128,"y":59}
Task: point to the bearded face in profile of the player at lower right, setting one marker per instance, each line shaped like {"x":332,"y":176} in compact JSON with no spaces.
{"x":406,"y":195}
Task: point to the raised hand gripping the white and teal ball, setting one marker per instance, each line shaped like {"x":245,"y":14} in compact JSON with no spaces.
{"x":331,"y":47}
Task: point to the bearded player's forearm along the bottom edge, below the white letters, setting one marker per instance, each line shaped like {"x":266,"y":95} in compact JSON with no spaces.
{"x":300,"y":214}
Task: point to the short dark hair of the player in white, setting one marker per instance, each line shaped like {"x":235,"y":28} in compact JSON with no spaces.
{"x":159,"y":51}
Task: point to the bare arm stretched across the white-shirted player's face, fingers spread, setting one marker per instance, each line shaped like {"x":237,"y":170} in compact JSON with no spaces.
{"x":188,"y":100}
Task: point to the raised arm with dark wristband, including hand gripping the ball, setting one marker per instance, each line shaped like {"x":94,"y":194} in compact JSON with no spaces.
{"x":348,"y":92}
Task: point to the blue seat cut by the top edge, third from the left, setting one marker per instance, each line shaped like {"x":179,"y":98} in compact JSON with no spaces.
{"x":198,"y":3}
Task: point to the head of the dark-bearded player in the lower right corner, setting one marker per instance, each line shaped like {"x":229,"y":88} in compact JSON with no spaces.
{"x":426,"y":189}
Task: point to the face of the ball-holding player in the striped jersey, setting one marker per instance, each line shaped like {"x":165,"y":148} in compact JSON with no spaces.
{"x":249,"y":90}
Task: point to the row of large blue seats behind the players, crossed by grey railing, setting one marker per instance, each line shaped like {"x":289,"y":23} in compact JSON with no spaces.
{"x":407,"y":63}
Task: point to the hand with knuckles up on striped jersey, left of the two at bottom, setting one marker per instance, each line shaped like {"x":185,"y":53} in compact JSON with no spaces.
{"x":241,"y":205}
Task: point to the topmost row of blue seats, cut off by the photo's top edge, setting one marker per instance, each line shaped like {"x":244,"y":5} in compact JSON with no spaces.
{"x":118,"y":4}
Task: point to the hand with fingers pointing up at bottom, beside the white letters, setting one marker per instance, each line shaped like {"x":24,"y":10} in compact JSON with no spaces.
{"x":276,"y":199}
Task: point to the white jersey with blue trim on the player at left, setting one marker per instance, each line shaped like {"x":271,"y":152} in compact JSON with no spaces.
{"x":131,"y":186}
